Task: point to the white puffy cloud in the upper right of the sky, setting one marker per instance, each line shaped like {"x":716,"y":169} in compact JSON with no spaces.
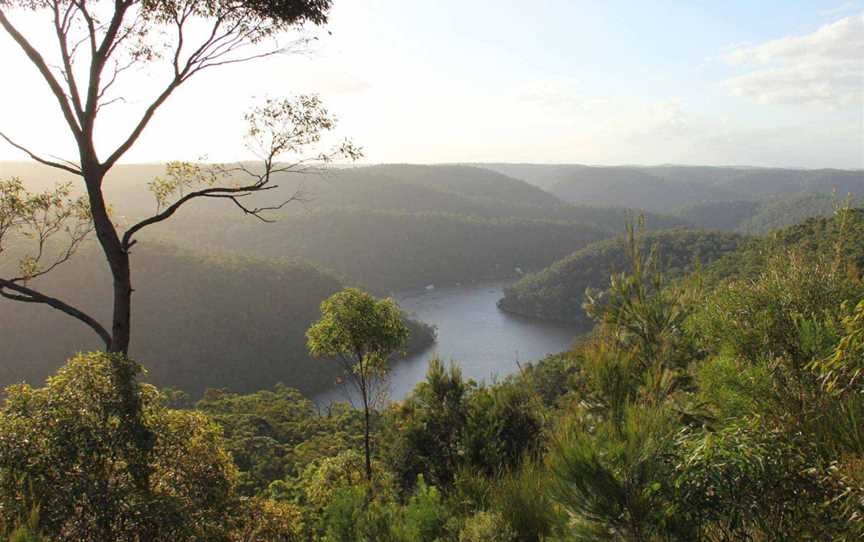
{"x":824,"y":67}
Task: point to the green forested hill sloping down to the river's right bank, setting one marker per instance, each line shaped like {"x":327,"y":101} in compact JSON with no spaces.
{"x":557,"y":292}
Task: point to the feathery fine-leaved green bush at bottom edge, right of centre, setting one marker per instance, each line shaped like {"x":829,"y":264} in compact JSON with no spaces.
{"x":615,"y":475}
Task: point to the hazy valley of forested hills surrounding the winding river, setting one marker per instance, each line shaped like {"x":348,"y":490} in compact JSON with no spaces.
{"x":392,"y":229}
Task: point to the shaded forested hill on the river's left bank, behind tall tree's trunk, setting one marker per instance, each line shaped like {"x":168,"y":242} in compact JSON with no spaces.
{"x":199,"y":321}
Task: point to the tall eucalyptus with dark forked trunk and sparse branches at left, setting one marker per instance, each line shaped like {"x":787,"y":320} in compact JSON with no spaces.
{"x":97,"y":45}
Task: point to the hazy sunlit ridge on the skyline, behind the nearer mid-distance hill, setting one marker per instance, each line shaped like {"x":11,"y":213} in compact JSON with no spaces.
{"x":465,"y":190}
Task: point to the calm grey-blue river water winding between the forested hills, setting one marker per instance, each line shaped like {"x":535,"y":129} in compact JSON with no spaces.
{"x":486,"y":342}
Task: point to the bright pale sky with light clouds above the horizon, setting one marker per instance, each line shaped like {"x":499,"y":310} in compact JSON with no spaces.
{"x":768,"y":83}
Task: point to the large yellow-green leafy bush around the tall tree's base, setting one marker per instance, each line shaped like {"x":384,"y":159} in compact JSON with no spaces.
{"x":64,"y":447}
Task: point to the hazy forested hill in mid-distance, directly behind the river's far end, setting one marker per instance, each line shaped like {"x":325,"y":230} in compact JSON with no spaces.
{"x":393,"y":250}
